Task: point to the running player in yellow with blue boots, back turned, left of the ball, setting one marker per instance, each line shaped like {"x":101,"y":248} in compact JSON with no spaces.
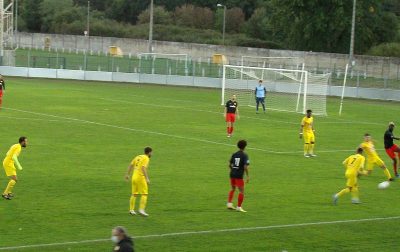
{"x":354,"y":165}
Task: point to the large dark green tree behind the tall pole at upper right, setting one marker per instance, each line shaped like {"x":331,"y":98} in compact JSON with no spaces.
{"x":324,"y":25}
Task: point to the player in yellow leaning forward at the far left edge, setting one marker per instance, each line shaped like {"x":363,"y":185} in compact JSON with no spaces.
{"x":9,"y":163}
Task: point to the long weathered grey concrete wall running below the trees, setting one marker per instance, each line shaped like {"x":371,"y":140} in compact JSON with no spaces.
{"x":382,"y":67}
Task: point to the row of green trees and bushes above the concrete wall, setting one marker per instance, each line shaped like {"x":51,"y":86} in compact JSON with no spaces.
{"x":310,"y":25}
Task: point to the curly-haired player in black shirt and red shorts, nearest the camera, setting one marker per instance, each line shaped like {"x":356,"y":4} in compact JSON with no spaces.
{"x":238,"y":165}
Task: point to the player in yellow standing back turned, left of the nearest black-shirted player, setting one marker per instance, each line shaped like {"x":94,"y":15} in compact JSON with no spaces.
{"x":140,"y":181}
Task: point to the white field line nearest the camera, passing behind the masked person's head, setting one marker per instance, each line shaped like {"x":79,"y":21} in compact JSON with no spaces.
{"x":208,"y":232}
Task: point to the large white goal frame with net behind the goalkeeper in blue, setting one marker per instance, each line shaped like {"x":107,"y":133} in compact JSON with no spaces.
{"x":287,"y":89}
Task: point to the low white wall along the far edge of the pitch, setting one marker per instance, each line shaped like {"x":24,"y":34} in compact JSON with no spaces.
{"x":190,"y":81}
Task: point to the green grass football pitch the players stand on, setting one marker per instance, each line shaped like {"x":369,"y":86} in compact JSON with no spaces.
{"x":82,"y":136}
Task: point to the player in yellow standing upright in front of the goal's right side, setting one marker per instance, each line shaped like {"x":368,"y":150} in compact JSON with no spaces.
{"x":307,"y":133}
